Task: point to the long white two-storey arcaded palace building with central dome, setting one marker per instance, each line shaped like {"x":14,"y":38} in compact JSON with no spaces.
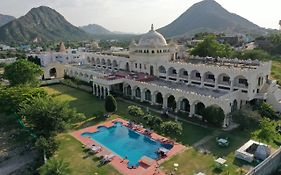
{"x":153,"y":73}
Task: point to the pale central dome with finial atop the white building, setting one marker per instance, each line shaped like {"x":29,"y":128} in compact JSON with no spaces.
{"x":152,"y":38}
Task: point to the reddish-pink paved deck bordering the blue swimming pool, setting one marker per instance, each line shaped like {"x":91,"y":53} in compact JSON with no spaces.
{"x":117,"y":162}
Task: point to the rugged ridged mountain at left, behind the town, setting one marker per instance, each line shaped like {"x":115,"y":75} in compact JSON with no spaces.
{"x":40,"y":24}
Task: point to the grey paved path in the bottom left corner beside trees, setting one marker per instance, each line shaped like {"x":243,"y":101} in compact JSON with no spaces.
{"x":17,"y":162}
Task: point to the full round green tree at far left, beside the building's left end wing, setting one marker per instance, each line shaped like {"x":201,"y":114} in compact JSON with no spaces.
{"x":23,"y":72}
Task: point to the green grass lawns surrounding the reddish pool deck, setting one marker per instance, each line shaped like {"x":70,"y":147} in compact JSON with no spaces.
{"x":190,"y":161}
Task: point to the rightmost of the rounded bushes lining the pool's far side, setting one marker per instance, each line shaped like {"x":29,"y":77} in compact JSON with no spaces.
{"x":171,"y":128}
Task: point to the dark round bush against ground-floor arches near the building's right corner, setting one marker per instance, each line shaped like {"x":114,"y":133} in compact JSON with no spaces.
{"x":214,"y":114}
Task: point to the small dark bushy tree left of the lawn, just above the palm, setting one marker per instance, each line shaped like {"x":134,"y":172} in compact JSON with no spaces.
{"x":47,"y":146}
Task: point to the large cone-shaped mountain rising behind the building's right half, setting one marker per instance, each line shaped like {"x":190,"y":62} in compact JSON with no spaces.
{"x":209,"y":16}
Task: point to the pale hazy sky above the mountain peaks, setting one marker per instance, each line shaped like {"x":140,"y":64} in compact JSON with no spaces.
{"x":136,"y":16}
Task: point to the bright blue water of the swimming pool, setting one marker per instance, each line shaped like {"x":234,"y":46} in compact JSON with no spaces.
{"x":126,"y":142}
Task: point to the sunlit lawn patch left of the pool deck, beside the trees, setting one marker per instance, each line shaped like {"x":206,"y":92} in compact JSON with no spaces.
{"x":71,"y":151}
